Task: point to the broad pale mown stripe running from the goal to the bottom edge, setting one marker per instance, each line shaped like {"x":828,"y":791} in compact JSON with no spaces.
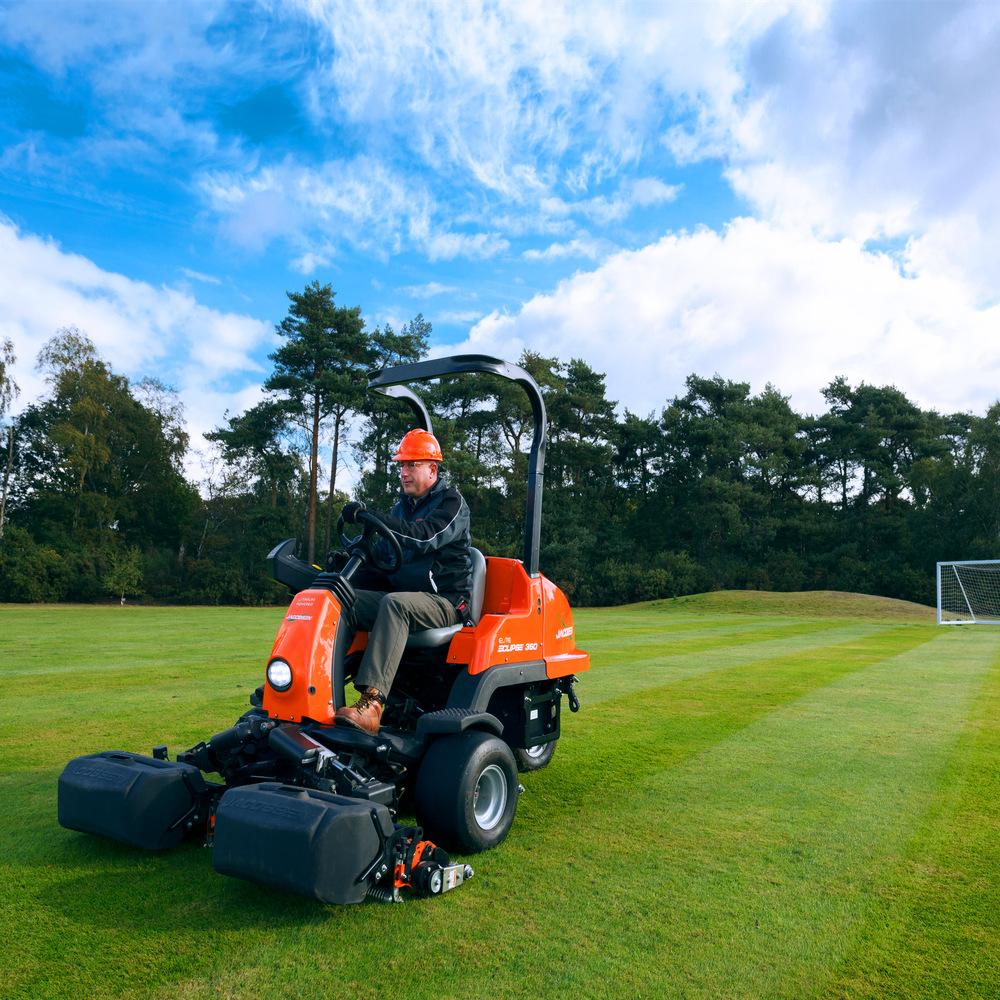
{"x":767,"y":847}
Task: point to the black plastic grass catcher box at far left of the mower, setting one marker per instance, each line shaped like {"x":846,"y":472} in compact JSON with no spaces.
{"x":137,"y":800}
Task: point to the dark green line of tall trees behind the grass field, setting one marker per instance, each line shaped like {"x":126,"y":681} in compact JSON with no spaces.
{"x":722,"y":488}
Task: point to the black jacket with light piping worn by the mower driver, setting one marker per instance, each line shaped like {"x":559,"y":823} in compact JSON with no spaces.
{"x":434,"y":535}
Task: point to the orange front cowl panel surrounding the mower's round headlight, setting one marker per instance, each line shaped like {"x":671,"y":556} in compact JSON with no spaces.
{"x":305,"y":641}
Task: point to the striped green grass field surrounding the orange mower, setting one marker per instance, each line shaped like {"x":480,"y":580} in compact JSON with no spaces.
{"x":762,"y":796}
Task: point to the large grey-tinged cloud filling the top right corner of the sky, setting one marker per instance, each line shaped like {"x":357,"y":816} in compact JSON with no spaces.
{"x":871,"y":121}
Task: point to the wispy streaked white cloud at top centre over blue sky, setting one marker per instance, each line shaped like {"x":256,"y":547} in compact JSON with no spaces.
{"x":502,"y":94}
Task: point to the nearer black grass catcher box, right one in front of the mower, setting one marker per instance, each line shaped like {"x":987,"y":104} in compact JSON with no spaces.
{"x":330,"y":847}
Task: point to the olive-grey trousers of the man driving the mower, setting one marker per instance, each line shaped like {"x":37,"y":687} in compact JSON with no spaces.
{"x":389,"y":619}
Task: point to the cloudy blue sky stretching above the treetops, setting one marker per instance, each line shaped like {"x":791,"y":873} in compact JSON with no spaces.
{"x":778,"y":192}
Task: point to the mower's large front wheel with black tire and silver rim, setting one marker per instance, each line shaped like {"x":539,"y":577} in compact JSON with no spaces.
{"x":447,"y":805}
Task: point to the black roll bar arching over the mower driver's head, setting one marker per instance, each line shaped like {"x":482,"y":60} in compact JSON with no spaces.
{"x":460,"y":364}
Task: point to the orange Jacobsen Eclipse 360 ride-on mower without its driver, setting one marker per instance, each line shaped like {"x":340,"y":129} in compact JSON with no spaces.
{"x":311,"y":807}
